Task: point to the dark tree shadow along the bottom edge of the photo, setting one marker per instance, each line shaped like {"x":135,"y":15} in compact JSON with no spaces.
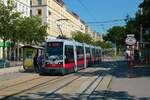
{"x":98,"y":95}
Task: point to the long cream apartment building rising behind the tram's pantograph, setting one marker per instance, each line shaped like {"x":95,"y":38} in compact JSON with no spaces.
{"x":58,"y":18}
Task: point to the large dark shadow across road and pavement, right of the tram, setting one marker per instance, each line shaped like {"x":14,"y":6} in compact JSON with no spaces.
{"x":122,"y":69}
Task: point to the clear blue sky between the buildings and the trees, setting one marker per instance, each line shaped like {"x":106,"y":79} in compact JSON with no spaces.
{"x":103,"y":10}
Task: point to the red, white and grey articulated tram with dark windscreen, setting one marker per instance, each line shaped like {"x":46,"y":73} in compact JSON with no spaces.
{"x":65,"y":56}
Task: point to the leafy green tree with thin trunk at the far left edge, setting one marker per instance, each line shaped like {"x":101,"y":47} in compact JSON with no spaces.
{"x":8,"y":17}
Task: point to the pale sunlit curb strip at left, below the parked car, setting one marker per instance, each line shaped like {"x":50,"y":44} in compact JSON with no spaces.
{"x":11,"y":70}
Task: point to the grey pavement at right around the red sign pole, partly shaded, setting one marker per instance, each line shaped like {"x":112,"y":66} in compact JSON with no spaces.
{"x":126,"y":88}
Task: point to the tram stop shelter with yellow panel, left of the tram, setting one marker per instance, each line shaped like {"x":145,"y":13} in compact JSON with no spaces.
{"x":29,"y":52}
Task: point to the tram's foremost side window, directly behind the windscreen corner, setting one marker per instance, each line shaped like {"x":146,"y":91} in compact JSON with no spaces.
{"x":69,"y":54}
